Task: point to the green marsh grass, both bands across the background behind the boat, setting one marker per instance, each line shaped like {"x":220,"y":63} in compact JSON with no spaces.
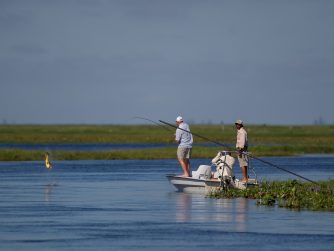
{"x":264,"y":140}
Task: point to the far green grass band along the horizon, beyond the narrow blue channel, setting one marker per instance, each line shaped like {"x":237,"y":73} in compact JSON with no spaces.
{"x":260,"y":135}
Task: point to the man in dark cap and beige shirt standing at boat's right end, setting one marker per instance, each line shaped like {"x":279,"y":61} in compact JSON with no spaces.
{"x":242,"y":146}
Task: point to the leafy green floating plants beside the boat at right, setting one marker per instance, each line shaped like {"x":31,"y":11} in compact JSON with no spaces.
{"x":291,"y":194}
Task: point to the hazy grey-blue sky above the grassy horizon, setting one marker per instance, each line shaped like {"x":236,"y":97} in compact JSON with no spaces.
{"x":214,"y":61}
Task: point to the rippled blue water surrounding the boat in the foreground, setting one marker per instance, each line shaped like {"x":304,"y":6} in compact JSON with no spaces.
{"x":129,"y":205}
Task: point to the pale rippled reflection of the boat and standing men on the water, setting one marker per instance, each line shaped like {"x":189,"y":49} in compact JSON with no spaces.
{"x":190,"y":207}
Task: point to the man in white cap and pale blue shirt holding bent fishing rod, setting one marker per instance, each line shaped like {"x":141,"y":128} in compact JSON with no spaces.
{"x":185,"y":140}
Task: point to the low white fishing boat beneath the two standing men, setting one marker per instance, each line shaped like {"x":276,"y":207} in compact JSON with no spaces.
{"x":204,"y":180}
